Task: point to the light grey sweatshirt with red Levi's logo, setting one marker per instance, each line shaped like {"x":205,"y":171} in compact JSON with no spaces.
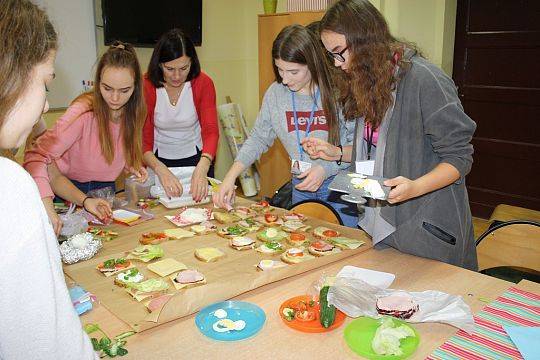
{"x":276,"y":119}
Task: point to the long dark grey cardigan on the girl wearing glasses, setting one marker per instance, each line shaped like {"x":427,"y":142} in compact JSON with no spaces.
{"x":427,"y":127}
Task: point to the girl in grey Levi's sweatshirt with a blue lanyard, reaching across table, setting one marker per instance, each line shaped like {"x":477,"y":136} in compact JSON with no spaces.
{"x":299,"y":104}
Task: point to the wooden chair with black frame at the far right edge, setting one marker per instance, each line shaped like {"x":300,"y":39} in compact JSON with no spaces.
{"x":510,"y":250}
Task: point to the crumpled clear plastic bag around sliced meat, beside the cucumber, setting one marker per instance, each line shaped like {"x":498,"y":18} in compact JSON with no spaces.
{"x":357,"y":298}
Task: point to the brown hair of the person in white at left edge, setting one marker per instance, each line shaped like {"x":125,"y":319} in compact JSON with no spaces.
{"x":27,"y":38}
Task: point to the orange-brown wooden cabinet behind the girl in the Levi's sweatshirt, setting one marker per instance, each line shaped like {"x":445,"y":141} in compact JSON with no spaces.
{"x":274,"y":165}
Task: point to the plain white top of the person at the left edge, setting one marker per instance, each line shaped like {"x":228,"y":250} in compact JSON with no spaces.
{"x":37,"y":319}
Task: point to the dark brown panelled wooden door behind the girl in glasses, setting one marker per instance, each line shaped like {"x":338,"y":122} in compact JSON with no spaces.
{"x":496,"y":69}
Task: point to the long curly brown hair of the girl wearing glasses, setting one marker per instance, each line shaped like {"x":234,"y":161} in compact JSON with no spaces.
{"x":366,"y":89}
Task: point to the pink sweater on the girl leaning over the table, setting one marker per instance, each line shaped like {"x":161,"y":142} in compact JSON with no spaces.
{"x":74,"y":144}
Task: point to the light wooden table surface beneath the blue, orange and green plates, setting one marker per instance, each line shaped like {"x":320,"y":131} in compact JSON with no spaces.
{"x":181,"y":338}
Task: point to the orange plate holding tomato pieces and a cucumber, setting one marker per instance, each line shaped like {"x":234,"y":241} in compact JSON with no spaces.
{"x":313,"y":326}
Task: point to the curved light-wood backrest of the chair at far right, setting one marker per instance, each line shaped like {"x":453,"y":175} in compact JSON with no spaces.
{"x":510,"y":243}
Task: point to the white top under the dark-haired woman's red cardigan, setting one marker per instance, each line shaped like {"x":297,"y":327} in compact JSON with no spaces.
{"x":177,"y":130}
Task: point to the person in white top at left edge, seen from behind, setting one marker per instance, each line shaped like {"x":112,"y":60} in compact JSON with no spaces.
{"x":37,"y":318}
